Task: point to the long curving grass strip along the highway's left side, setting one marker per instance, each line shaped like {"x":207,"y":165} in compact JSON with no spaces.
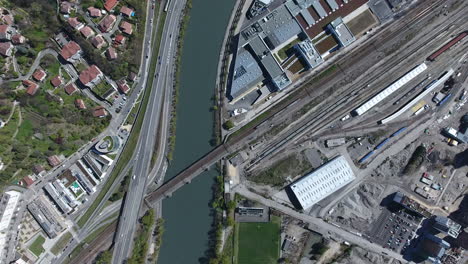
{"x":130,"y":146}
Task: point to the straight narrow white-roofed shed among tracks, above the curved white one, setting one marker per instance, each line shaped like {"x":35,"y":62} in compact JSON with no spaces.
{"x":390,"y":89}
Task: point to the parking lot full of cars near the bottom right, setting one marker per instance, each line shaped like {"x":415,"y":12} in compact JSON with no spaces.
{"x":394,"y":230}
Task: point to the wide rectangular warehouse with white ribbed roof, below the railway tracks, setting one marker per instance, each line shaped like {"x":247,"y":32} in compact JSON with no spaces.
{"x":321,"y":183}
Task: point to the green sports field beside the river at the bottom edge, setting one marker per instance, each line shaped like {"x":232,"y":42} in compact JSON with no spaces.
{"x":258,"y":243}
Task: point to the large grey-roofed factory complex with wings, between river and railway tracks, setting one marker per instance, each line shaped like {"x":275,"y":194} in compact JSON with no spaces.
{"x":273,"y":24}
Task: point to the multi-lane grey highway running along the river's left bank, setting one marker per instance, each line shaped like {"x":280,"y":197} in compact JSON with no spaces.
{"x":160,"y":93}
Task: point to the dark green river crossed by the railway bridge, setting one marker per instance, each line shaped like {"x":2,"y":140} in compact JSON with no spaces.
{"x":187,"y":213}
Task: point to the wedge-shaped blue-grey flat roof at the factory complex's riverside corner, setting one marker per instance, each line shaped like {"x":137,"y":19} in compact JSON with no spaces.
{"x":247,"y":72}
